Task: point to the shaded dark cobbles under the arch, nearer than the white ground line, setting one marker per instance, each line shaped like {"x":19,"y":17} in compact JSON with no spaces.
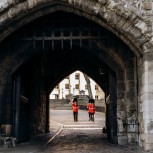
{"x":84,"y":141}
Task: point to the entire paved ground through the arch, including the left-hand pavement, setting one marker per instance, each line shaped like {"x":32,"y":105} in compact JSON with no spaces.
{"x":68,"y":136}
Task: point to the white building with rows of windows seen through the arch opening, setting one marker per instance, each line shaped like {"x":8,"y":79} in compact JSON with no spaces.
{"x":75,"y":84}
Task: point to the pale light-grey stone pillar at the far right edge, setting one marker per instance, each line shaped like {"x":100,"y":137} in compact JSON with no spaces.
{"x":146,"y":101}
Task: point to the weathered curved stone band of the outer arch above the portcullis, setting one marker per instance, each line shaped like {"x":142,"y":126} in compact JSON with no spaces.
{"x":123,"y":22}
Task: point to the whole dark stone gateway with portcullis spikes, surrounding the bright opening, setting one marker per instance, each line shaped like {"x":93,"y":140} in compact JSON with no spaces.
{"x":44,"y":41}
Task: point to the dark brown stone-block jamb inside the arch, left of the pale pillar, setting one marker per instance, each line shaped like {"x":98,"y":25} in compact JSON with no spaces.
{"x":127,"y":104}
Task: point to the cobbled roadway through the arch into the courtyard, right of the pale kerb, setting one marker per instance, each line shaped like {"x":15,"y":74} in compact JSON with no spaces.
{"x":83,"y":136}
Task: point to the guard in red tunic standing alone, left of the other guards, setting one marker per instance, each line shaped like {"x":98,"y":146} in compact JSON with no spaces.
{"x":75,"y":108}
